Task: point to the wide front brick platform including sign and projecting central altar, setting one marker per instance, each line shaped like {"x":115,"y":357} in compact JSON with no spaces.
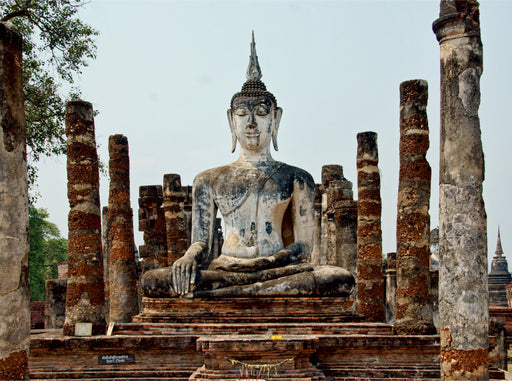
{"x":155,"y":355}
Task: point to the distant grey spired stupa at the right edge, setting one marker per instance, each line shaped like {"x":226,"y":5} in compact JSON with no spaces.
{"x":499,"y":278}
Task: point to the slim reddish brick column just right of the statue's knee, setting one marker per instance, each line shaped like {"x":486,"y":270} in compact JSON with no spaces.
{"x":370,"y":279}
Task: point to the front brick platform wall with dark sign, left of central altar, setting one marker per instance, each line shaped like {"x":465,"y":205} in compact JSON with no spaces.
{"x":57,"y":357}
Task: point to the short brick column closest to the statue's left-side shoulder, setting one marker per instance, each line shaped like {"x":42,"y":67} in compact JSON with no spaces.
{"x":175,"y":220}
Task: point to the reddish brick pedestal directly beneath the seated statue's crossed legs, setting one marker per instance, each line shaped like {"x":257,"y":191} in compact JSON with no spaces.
{"x":247,"y":310}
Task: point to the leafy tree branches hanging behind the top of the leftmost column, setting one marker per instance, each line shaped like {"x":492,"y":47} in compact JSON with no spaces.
{"x":56,"y":47}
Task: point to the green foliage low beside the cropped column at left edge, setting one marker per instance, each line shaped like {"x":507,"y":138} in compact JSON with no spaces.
{"x":46,"y":249}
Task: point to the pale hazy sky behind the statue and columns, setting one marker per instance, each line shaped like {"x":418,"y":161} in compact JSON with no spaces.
{"x":166,"y":71}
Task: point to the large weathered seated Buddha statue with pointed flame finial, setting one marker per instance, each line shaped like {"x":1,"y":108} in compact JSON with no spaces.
{"x":268,"y":211}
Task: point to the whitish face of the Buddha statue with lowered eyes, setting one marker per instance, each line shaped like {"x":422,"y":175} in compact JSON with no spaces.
{"x":254,"y":122}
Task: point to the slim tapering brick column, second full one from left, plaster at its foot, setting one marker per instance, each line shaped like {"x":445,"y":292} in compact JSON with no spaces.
{"x":122,"y":275}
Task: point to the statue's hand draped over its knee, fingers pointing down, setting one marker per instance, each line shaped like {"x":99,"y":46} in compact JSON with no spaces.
{"x":184,"y":270}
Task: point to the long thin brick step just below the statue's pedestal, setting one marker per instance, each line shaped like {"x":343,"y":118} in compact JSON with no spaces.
{"x":296,"y":328}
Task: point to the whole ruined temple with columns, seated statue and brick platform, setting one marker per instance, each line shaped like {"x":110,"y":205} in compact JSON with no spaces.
{"x":291,"y":283}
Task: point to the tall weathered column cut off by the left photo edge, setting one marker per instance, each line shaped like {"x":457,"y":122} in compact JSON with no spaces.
{"x":14,"y":244}
